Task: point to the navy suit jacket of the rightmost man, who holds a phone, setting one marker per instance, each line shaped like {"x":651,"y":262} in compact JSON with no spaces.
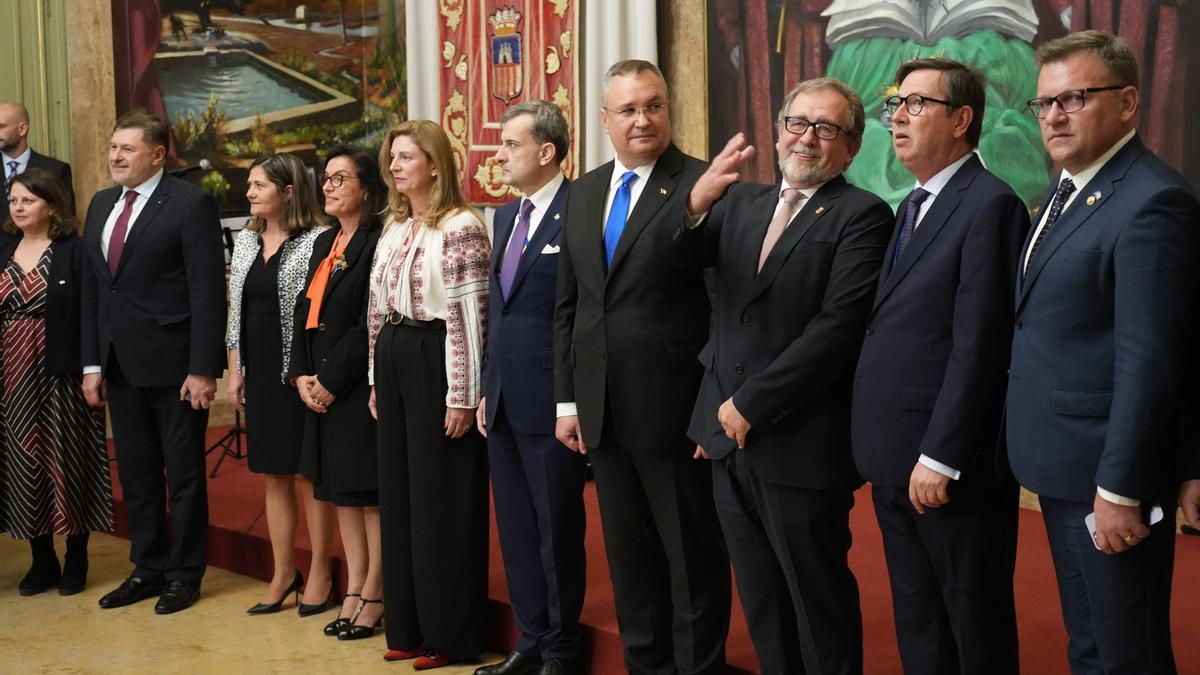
{"x":1100,"y":348}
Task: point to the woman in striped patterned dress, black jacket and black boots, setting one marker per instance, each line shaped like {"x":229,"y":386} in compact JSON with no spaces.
{"x":55,"y":476}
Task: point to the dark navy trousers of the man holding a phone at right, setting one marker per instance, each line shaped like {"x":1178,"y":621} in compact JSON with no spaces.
{"x":1117,"y":607}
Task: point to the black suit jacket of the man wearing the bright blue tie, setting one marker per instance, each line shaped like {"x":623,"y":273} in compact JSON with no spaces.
{"x":633,"y":331}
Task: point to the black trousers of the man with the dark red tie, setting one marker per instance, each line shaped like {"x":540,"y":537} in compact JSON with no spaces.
{"x":160,"y":462}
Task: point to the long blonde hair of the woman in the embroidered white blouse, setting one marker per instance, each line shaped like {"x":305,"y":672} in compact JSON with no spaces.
{"x":446,"y":194}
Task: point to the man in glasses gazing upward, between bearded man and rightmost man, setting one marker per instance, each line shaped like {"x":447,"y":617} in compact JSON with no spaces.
{"x":929,"y":392}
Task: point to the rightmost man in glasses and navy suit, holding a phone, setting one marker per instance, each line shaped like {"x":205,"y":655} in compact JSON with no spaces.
{"x":1105,"y":306}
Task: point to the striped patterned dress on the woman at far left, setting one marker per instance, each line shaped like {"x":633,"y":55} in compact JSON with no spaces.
{"x":55,"y":475}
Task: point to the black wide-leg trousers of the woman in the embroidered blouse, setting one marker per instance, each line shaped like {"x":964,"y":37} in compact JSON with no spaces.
{"x":433,"y":503}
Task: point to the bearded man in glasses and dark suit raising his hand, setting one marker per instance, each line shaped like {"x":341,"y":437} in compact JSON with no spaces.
{"x":797,"y":266}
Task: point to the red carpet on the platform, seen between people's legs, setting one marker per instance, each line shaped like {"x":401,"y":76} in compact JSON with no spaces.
{"x":239,"y":542}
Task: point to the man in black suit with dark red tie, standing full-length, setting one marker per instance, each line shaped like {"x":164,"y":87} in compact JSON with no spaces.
{"x":153,"y":325}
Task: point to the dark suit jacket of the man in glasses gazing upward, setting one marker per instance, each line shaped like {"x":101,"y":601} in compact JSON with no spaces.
{"x":932,"y":375}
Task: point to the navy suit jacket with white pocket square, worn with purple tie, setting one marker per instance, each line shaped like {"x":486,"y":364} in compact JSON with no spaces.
{"x":519,"y":365}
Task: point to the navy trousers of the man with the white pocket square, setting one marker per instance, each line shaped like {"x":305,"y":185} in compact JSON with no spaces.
{"x":538,"y":488}
